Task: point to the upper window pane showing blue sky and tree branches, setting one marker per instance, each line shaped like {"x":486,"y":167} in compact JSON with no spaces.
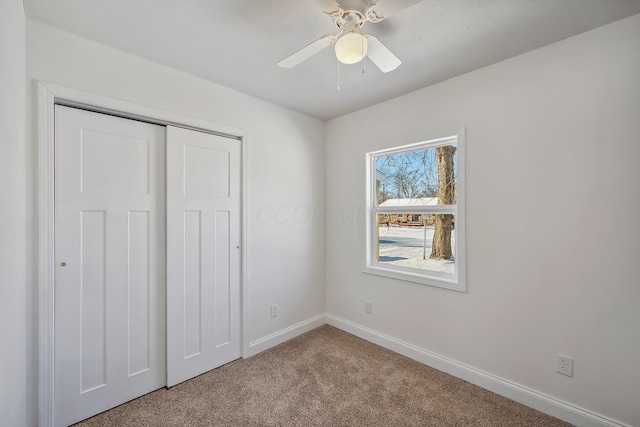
{"x":420,"y":177}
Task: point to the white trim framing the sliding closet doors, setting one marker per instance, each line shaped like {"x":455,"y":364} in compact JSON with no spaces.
{"x":50,"y":94}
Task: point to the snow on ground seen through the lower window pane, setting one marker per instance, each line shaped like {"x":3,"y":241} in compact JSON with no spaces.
{"x":405,"y":246}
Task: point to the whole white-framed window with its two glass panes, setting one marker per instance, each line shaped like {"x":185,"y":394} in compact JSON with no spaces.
{"x":415,"y":212}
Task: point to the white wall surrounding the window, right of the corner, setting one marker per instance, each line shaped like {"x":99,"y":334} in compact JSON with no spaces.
{"x":553,"y":232}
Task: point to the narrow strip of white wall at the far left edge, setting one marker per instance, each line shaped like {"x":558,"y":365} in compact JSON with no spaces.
{"x":12,"y":214}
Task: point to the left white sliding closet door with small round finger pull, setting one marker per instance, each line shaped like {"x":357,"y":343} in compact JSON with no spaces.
{"x":109,"y":249}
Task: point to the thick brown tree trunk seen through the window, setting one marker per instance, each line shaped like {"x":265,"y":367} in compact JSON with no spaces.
{"x":441,"y":246}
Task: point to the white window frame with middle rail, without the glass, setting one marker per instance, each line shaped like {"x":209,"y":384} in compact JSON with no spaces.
{"x":456,"y":281}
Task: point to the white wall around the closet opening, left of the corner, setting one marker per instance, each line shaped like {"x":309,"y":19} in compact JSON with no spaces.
{"x":286,"y":170}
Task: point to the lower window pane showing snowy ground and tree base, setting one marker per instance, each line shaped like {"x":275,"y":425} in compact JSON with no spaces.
{"x":411,"y":240}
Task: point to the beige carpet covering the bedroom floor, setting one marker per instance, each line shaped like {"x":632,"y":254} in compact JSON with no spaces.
{"x":325,"y":377}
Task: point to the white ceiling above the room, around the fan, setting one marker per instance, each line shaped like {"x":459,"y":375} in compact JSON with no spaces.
{"x":237,"y":43}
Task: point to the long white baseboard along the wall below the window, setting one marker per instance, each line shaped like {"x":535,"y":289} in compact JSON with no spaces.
{"x":531,"y":398}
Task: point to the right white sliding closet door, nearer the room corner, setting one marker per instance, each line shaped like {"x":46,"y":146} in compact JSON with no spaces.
{"x":203,"y":256}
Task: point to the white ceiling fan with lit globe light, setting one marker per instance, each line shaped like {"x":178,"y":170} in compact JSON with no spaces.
{"x":351,"y":44}
